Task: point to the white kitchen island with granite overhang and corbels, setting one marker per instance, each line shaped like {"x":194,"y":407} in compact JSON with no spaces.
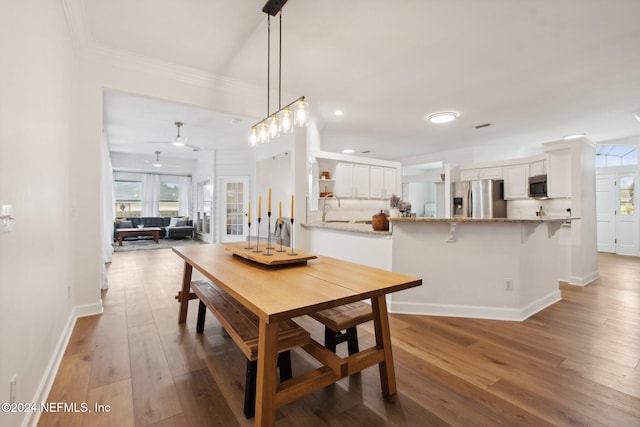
{"x":503,"y":268}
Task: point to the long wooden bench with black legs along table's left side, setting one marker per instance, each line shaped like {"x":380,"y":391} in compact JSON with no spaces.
{"x":242,"y":326}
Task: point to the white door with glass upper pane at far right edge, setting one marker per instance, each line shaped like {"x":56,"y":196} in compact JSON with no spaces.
{"x":626,"y":216}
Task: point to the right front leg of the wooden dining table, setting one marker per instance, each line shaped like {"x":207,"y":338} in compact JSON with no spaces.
{"x":383,"y":341}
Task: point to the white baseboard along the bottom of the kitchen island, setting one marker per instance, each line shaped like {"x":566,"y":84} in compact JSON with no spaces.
{"x":492,"y":313}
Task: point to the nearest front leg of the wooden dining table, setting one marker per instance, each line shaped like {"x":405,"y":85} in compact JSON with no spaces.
{"x":267,"y":369}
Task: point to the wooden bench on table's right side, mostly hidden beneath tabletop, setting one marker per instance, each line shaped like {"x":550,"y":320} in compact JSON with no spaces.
{"x":343,"y":318}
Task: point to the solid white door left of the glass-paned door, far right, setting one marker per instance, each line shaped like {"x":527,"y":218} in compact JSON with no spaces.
{"x":605,"y":213}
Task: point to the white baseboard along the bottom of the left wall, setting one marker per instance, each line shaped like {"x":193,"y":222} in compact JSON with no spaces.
{"x":42,"y":392}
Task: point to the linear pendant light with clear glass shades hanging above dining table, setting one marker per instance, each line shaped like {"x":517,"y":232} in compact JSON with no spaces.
{"x":294,"y":114}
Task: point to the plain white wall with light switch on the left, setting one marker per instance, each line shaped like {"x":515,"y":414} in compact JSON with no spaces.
{"x":38,"y":278}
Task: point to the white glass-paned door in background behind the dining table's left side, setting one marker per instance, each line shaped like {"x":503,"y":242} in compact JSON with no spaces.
{"x":234,"y":199}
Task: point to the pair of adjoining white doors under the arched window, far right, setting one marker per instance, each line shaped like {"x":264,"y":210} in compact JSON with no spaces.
{"x":616,"y":213}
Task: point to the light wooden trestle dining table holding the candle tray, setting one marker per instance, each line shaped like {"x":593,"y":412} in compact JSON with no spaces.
{"x":288,"y":290}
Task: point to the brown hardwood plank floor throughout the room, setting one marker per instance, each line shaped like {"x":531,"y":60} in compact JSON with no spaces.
{"x":575,"y":363}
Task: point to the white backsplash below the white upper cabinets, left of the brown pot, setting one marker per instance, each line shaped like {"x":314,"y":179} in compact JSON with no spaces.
{"x":349,"y":209}
